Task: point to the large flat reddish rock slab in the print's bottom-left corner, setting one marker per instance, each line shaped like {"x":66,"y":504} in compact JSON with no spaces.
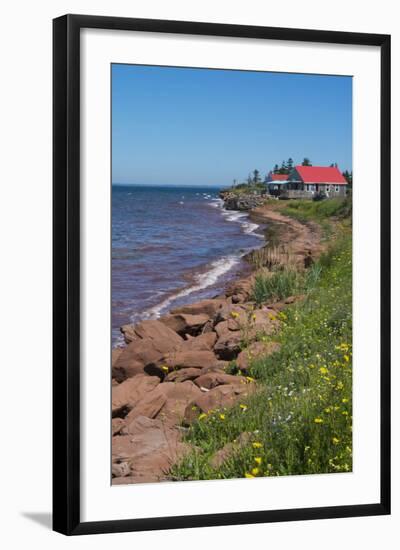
{"x":145,"y":454}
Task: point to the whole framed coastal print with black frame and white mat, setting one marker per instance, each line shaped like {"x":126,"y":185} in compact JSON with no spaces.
{"x":221,"y":274}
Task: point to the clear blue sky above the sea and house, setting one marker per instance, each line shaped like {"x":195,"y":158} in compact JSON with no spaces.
{"x":178,"y":126}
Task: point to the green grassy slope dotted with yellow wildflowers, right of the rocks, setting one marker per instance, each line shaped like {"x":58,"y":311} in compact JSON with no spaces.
{"x":300,"y":420}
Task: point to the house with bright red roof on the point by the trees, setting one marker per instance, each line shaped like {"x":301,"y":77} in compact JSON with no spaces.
{"x":306,"y":181}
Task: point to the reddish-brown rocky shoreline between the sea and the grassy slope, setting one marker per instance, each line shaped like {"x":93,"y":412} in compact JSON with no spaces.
{"x":191,"y":361}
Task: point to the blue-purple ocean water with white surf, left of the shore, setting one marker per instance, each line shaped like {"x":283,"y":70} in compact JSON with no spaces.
{"x":172,"y":246}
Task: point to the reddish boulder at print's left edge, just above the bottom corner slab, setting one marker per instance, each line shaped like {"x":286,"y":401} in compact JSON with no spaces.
{"x":128,"y":393}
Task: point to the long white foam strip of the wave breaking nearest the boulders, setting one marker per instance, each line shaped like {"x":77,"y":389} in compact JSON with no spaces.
{"x":203,"y":280}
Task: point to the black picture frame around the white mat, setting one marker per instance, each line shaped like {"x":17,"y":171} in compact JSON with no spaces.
{"x":66,"y":272}
